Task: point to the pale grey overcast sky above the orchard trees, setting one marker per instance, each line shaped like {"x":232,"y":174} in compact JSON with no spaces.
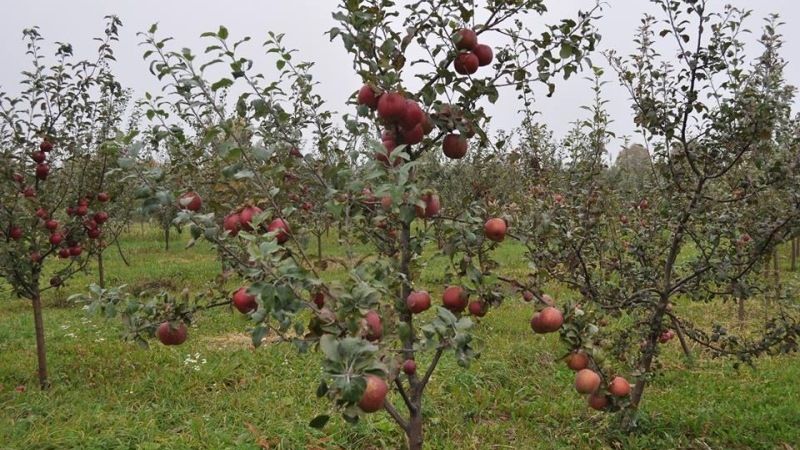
{"x":305,"y":21}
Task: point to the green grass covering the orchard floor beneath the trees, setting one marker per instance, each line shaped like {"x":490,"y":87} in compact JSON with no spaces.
{"x":217,"y":392}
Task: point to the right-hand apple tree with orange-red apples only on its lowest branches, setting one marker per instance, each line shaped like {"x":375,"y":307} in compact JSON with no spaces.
{"x":721,"y":194}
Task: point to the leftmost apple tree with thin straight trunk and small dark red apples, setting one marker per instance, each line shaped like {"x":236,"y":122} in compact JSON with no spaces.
{"x":51,"y":139}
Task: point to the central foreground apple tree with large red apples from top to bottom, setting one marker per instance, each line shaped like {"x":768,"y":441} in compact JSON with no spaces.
{"x":371,"y":327}
